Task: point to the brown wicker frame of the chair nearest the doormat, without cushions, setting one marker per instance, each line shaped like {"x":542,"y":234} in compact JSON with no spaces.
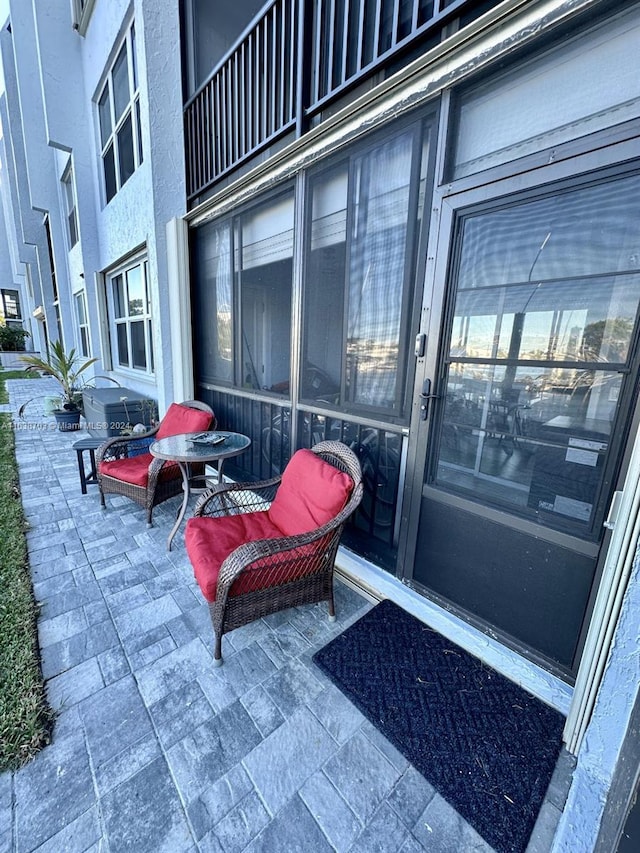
{"x":308,"y":557}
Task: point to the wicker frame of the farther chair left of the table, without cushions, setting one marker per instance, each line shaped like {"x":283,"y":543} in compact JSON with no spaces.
{"x":157,"y":490}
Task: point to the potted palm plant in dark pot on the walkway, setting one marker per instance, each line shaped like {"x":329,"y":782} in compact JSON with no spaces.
{"x":66,"y":368}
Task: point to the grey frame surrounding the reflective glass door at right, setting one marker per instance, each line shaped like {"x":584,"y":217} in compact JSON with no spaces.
{"x":614,"y":157}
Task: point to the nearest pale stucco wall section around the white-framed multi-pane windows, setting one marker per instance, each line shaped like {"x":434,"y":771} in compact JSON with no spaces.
{"x":155,"y":193}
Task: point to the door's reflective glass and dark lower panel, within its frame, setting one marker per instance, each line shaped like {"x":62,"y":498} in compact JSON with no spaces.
{"x":536,"y":384}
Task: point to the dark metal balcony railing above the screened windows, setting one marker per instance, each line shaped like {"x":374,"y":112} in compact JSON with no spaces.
{"x":298,"y":57}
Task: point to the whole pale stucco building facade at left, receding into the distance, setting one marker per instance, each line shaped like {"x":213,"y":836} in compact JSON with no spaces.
{"x":52,"y":91}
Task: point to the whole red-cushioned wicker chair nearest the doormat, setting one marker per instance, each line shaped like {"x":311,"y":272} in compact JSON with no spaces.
{"x":257,"y":548}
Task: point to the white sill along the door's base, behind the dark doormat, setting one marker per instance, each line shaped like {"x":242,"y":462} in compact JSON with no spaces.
{"x":377,"y":584}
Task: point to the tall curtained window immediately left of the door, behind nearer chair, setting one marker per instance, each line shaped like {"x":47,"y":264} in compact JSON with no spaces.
{"x":358,"y":276}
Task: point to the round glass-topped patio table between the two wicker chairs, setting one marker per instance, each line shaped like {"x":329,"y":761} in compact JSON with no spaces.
{"x":186,"y":451}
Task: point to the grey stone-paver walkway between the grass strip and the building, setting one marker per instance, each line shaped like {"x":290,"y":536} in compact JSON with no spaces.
{"x":153,"y":749}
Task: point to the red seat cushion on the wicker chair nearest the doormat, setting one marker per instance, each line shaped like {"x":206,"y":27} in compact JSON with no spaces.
{"x":209,"y":541}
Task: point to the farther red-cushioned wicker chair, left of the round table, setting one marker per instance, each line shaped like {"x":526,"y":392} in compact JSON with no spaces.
{"x":125,"y":467}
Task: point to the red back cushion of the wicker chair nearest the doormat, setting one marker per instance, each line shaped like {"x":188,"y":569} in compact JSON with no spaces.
{"x":311,"y":493}
